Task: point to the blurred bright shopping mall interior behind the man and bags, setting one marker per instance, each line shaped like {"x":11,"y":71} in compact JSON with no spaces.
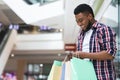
{"x":34,"y":33}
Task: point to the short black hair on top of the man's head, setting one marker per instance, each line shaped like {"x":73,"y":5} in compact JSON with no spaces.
{"x":83,"y":8}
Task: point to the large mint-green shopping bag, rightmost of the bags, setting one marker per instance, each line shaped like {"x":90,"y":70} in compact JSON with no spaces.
{"x":82,"y":69}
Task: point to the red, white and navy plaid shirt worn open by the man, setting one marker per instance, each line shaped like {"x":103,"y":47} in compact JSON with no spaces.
{"x":102,"y":38}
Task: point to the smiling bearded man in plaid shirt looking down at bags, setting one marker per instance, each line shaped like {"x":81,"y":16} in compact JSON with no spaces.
{"x":96,"y":42}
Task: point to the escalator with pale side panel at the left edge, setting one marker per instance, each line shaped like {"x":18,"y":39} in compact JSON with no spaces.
{"x":7,"y":41}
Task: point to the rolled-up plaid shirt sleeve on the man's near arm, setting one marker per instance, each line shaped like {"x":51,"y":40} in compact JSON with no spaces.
{"x":108,"y":40}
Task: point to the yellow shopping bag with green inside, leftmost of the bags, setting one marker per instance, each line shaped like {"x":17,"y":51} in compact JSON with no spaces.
{"x":55,"y":73}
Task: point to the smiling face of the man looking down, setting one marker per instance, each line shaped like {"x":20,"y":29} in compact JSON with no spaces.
{"x":83,"y":20}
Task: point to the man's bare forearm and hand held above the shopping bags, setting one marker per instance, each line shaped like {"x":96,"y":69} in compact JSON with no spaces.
{"x":103,"y":55}
